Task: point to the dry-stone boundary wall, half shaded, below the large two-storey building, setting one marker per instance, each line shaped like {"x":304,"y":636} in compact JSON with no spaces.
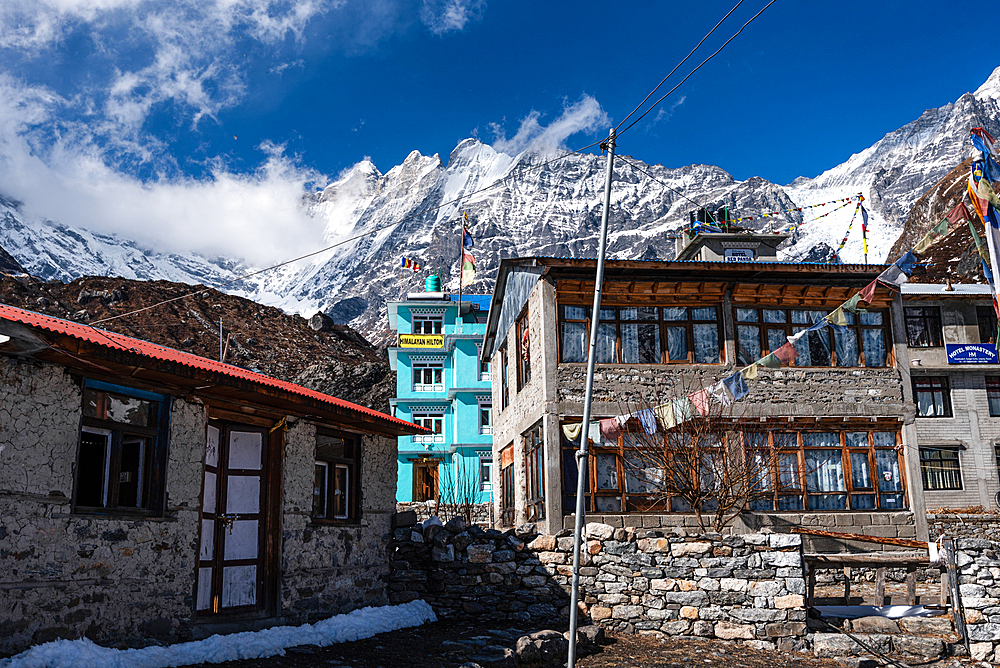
{"x":747,"y":587}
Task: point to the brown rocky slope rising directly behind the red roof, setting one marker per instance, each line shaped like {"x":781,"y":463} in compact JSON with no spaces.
{"x":316,"y":353}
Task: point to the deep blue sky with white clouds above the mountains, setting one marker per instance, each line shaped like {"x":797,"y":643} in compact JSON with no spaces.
{"x":133,"y":115}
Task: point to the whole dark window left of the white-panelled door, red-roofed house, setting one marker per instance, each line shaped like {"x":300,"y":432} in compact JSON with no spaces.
{"x":121,"y":453}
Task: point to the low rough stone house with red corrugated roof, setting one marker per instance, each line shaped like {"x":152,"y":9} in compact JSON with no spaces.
{"x":147,"y":493}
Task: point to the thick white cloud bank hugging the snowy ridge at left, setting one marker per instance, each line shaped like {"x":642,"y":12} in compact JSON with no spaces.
{"x":257,"y":216}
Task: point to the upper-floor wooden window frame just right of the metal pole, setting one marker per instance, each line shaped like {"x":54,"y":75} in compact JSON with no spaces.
{"x":661,"y":323}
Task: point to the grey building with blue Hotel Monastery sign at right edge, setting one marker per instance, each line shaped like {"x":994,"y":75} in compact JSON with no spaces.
{"x":954,"y":381}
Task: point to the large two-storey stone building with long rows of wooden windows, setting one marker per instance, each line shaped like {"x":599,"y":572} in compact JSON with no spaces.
{"x":840,"y":418}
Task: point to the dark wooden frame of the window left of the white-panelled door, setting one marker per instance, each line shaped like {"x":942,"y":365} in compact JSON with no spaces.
{"x":151,"y":476}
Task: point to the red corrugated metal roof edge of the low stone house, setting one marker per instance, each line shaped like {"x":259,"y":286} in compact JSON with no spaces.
{"x":115,"y":341}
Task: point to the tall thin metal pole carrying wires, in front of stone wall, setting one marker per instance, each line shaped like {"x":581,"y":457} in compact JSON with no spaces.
{"x":581,"y":454}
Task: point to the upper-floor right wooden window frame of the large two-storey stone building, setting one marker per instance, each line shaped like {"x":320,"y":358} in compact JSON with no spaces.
{"x":789,"y":328}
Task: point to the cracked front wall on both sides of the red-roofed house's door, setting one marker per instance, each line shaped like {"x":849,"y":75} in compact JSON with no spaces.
{"x":116,"y":579}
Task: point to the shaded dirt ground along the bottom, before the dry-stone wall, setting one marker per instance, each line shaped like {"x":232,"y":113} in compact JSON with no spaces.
{"x":448,"y":645}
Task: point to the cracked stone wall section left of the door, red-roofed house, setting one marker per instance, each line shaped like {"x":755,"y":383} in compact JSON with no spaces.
{"x":67,"y":575}
